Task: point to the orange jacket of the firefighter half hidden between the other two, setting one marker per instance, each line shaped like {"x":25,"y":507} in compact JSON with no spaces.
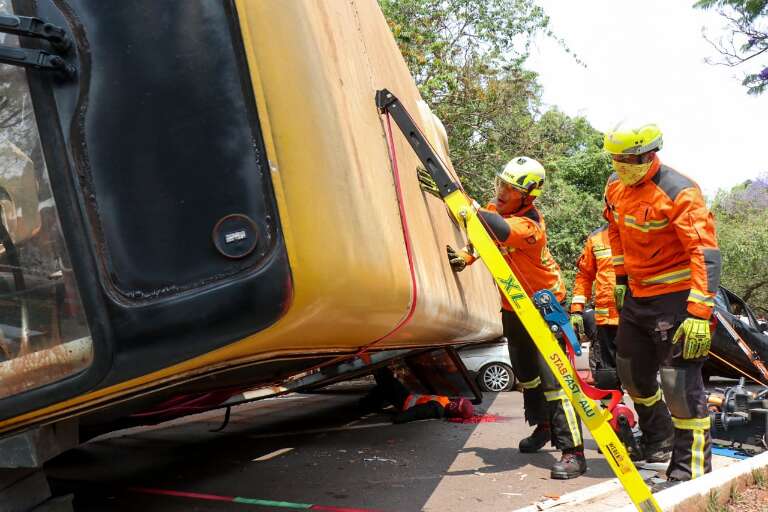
{"x":596,"y":266}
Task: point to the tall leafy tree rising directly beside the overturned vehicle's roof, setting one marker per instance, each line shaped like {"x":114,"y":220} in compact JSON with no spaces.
{"x":467,"y":59}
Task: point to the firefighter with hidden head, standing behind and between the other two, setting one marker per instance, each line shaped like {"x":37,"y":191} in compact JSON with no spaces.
{"x":596,"y":267}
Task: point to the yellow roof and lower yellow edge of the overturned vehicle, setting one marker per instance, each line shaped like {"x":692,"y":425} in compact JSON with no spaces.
{"x":314,"y":67}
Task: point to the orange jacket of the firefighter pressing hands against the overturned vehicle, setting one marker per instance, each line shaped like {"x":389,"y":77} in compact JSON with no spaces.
{"x":522,"y":238}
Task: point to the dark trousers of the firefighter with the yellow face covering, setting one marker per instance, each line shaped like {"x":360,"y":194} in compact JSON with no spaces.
{"x":645,"y":348}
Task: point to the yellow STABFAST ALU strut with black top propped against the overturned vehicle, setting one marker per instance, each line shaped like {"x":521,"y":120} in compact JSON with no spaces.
{"x":594,"y":417}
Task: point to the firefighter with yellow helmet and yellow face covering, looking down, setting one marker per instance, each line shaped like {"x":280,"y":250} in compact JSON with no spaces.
{"x":667,"y":266}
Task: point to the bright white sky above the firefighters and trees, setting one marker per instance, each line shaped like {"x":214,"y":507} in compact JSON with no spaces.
{"x":645,"y":63}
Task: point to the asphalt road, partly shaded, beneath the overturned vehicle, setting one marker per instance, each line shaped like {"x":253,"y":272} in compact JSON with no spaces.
{"x":317,"y":452}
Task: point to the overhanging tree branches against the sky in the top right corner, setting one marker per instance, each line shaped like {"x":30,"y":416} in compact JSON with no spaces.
{"x":747,"y":39}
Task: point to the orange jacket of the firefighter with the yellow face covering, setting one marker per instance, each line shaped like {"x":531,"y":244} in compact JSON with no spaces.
{"x":663,"y":237}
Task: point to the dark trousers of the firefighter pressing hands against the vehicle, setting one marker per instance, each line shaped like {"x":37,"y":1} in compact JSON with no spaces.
{"x":543,"y":399}
